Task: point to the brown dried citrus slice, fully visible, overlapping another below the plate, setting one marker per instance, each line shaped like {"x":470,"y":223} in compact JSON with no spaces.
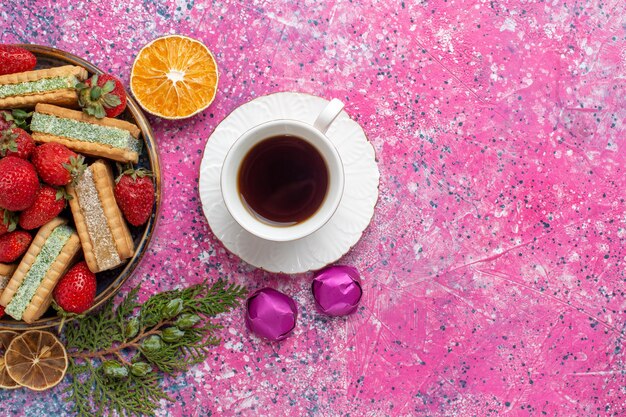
{"x":36,"y":360}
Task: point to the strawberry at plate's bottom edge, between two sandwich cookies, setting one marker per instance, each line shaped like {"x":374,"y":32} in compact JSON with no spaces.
{"x":76,"y":291}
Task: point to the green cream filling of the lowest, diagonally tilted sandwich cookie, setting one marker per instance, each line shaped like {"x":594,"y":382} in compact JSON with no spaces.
{"x":43,"y":261}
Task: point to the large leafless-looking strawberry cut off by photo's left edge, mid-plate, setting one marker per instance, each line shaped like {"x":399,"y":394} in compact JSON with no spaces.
{"x":18,"y":183}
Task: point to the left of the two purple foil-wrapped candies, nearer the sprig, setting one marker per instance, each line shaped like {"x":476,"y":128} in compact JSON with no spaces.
{"x":271,"y":314}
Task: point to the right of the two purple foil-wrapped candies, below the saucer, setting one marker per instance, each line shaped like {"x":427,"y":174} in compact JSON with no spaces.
{"x":337,"y":290}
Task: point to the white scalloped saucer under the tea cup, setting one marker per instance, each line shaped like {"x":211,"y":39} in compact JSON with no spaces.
{"x":342,"y":231}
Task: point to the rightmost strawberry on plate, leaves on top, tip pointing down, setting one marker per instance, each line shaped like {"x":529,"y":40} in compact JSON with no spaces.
{"x":134,"y":193}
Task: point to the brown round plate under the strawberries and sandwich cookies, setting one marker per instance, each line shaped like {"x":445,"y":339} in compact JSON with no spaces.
{"x":109,"y":282}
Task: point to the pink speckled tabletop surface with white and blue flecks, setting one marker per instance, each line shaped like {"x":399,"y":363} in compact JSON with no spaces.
{"x":493,"y":271}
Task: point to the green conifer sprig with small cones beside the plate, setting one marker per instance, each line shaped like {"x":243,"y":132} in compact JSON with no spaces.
{"x":118,"y":355}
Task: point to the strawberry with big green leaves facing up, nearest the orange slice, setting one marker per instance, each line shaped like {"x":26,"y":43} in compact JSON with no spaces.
{"x":102,"y":95}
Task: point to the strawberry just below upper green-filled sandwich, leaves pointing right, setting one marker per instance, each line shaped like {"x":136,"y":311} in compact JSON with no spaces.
{"x":56,"y":164}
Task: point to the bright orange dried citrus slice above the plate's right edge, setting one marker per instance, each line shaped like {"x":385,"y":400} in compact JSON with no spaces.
{"x":174,"y":77}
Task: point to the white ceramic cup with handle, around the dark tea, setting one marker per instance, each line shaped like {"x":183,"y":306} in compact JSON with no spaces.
{"x":314,"y":135}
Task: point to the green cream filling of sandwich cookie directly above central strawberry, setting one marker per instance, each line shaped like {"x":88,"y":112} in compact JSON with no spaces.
{"x":87,"y":132}
